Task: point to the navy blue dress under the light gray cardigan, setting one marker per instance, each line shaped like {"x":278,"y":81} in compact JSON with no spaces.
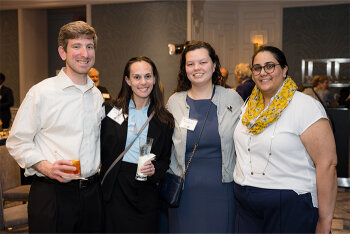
{"x":207,"y":204}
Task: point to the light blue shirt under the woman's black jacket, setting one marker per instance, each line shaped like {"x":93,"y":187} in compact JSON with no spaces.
{"x":136,"y":119}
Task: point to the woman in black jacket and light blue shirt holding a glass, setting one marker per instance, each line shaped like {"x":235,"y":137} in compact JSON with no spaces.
{"x":132,"y":205}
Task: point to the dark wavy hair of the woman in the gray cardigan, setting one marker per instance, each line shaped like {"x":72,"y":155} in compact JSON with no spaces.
{"x":183,"y":83}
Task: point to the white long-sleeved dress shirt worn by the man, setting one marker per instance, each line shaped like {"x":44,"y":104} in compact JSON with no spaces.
{"x":58,"y":120}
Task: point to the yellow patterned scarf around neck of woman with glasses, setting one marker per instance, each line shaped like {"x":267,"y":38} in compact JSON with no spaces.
{"x":256,"y":117}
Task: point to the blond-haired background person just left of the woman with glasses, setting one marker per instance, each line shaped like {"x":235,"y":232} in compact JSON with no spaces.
{"x":243,"y":75}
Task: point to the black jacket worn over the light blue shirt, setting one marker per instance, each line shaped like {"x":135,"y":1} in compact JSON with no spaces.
{"x":113,"y":143}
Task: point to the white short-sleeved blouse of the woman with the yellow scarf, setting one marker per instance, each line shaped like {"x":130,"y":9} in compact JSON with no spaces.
{"x":289,"y":165}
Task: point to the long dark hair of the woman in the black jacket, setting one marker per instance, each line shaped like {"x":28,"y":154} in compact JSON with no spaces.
{"x":156,"y":96}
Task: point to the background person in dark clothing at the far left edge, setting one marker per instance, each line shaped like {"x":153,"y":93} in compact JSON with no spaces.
{"x":6,"y":101}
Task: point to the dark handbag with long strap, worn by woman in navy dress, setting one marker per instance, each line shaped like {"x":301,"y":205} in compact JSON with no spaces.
{"x":172,"y":185}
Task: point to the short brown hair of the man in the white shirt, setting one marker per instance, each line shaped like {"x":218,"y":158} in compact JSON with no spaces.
{"x":74,"y":30}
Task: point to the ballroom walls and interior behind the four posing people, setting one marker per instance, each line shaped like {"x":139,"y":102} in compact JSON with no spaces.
{"x":314,"y":35}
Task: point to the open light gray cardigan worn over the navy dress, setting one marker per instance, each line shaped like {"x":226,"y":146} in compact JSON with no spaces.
{"x":228,"y":104}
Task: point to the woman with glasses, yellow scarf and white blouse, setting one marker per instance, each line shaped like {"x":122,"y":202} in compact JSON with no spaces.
{"x":286,"y":155}
